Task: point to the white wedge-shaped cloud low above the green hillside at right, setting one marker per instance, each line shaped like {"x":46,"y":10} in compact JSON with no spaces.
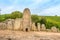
{"x":51,"y":11}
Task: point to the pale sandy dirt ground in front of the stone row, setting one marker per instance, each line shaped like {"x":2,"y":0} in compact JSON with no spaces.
{"x":19,"y":35}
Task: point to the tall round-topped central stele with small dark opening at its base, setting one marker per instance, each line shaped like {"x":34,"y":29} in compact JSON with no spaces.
{"x":26,"y":20}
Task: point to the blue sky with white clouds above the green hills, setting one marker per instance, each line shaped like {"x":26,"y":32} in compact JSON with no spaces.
{"x":39,"y":7}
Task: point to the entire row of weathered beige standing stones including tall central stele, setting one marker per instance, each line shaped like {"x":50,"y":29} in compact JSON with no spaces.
{"x":25,"y":24}
